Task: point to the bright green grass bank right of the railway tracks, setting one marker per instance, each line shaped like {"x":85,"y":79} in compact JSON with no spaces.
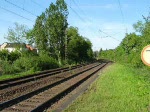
{"x":120,"y":88}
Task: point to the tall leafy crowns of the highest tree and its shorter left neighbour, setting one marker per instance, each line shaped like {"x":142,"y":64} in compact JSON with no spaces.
{"x":50,"y":28}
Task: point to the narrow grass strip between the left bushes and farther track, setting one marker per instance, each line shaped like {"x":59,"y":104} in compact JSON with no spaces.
{"x":11,"y":76}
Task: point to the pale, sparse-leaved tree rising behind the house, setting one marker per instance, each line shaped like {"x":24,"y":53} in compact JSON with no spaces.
{"x":17,"y":34}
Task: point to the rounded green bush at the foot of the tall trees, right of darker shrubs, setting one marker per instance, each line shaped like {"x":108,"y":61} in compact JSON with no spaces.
{"x":35,"y":63}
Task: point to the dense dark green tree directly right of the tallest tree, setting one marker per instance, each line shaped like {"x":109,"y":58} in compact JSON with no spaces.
{"x":79,"y":48}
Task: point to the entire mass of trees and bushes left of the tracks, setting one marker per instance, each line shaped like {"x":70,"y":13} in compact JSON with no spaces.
{"x":57,"y":43}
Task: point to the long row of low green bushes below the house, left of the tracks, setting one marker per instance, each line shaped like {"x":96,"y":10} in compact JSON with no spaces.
{"x":34,"y":63}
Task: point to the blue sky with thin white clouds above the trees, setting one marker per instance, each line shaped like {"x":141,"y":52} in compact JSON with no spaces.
{"x":103,"y":22}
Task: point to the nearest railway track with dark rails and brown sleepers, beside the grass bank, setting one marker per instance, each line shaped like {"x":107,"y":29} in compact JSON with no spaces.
{"x":48,"y":93}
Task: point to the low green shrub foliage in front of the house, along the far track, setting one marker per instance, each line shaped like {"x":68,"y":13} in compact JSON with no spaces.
{"x":16,"y":62}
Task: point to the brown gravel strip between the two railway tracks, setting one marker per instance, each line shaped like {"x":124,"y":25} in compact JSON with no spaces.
{"x":35,"y":85}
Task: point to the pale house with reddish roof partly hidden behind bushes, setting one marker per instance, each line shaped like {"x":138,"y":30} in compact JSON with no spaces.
{"x":17,"y":46}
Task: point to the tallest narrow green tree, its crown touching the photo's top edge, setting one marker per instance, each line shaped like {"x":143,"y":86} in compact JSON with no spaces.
{"x":57,"y":25}
